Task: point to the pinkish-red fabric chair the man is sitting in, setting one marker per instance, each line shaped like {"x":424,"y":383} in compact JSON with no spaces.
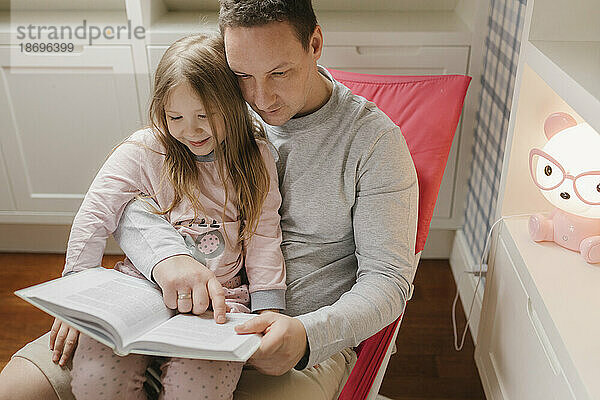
{"x":427,"y":110}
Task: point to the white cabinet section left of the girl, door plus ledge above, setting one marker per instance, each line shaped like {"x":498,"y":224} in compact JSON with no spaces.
{"x":61,"y":112}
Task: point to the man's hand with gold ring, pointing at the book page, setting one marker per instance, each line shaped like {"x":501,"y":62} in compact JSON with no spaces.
{"x":189,"y":286}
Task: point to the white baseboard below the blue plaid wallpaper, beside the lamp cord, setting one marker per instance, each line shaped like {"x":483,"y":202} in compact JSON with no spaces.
{"x":461,"y":260}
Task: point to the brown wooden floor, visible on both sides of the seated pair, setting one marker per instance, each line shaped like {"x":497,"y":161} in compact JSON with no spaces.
{"x":426,"y":366}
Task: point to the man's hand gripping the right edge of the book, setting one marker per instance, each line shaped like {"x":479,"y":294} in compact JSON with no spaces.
{"x":283,"y":343}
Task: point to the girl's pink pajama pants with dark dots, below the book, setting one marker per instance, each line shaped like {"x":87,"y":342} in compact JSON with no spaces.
{"x":99,"y":374}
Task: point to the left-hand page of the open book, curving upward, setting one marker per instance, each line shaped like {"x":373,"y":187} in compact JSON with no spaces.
{"x":131,"y":305}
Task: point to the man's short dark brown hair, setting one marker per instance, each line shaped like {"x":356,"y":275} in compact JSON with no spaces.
{"x":248,"y":13}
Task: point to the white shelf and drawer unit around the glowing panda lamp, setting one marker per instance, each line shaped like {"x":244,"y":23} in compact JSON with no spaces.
{"x":538,"y":332}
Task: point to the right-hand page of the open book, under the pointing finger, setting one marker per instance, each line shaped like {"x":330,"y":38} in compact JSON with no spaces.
{"x":201,"y":332}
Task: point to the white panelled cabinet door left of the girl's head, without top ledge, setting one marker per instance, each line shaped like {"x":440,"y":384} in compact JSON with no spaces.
{"x":60,"y":116}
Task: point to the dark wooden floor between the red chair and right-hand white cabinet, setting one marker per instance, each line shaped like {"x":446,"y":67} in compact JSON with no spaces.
{"x":426,"y":366}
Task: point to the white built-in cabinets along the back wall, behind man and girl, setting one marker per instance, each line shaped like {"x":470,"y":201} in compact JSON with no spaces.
{"x":61,"y":114}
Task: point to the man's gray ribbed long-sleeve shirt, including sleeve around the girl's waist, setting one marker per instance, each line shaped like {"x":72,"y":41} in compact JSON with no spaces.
{"x":348,"y":218}
